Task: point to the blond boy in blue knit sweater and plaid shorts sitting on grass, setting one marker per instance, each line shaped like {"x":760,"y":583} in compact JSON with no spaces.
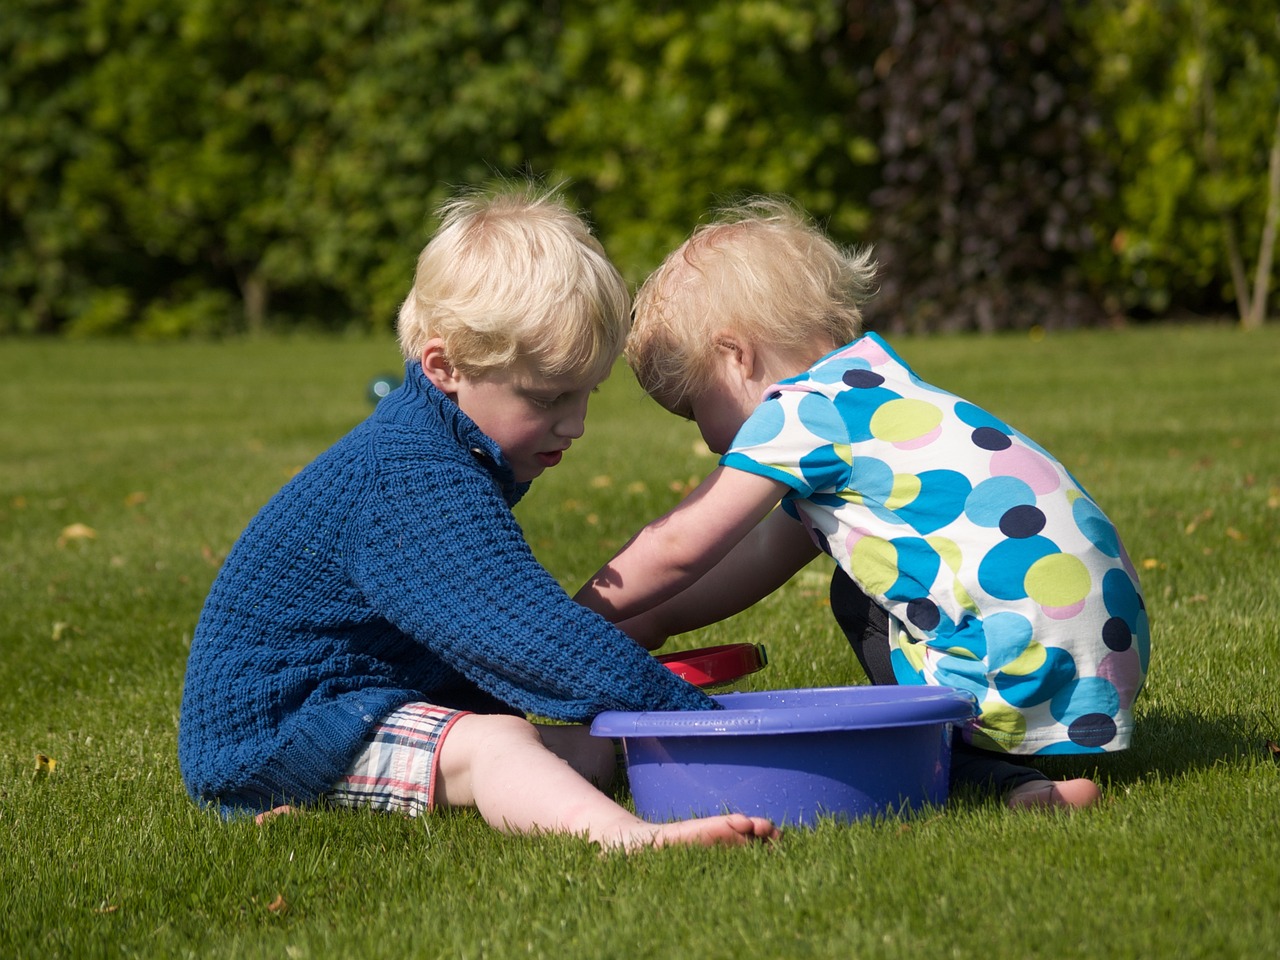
{"x":381,"y":629}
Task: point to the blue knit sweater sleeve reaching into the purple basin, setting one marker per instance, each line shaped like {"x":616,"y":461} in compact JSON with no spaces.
{"x":440,"y":555}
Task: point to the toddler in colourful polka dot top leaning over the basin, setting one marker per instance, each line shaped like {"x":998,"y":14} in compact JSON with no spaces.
{"x":967,"y":556}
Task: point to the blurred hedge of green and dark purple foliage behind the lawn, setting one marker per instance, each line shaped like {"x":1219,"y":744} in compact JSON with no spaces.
{"x":179,"y":168}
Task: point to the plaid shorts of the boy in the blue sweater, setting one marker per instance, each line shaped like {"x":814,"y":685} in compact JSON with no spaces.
{"x":397,"y":769}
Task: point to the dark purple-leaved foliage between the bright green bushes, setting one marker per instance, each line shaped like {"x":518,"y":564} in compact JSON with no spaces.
{"x":988,"y":179}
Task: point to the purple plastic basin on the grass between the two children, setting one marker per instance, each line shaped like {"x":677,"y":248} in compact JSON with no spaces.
{"x":793,"y":756}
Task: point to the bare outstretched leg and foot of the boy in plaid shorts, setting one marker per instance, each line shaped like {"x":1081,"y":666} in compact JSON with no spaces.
{"x":501,"y":766}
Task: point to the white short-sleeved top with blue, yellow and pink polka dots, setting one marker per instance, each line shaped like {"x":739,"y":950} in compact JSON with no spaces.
{"x":1004,"y":578}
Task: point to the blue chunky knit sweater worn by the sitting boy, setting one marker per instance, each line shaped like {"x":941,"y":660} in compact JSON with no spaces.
{"x":390,"y":570}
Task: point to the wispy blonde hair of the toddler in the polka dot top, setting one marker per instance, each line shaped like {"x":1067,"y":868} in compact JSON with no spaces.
{"x":761,"y":271}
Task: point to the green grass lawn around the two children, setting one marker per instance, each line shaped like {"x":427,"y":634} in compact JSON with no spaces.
{"x":166,"y":451}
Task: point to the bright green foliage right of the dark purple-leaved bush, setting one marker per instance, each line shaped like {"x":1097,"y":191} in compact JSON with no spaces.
{"x":1192,"y":90}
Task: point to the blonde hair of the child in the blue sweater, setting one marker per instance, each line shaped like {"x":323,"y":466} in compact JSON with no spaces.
{"x":515,"y":273}
